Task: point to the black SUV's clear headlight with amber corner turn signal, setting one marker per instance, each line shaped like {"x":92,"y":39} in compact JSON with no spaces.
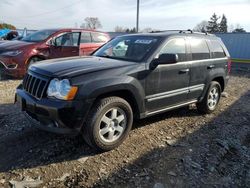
{"x":61,"y":89}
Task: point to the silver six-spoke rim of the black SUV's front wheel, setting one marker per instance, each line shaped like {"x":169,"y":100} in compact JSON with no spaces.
{"x":112,"y":125}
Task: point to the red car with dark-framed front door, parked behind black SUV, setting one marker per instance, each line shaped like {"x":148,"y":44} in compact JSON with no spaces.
{"x":16,"y":56}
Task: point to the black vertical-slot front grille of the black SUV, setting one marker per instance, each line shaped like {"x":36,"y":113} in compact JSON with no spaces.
{"x":35,"y":86}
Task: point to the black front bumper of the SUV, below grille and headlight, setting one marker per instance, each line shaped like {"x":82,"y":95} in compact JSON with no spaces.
{"x":63,"y":117}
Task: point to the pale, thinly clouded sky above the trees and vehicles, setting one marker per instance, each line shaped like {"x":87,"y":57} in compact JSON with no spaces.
{"x":157,"y":14}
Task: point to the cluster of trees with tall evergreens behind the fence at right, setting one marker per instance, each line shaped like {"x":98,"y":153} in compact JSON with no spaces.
{"x":218,"y":24}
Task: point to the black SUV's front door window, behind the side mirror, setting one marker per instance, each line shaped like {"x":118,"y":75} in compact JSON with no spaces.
{"x":175,"y":46}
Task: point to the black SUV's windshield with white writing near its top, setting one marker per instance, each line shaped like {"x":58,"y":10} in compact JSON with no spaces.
{"x":130,"y":48}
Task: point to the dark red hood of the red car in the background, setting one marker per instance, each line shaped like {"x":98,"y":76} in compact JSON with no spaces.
{"x":13,"y":45}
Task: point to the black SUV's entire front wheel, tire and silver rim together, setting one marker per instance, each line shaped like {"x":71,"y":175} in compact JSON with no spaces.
{"x":108,"y":123}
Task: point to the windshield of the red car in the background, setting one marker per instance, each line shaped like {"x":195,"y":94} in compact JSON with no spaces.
{"x":38,"y":36}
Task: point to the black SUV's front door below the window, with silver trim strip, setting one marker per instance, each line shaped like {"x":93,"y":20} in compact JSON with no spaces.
{"x":169,"y":86}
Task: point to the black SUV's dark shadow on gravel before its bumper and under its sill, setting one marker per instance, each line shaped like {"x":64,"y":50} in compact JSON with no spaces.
{"x":23,"y":146}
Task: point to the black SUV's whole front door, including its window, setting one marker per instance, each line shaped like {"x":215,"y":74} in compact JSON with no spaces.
{"x":167,"y":85}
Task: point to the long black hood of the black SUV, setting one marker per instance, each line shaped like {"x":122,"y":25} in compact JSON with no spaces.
{"x":70,"y":67}
